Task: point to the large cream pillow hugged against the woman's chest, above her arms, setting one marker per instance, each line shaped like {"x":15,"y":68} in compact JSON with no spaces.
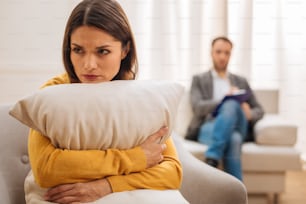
{"x":117,"y":114}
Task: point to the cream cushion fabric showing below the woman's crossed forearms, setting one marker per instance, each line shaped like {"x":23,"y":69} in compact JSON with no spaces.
{"x":34,"y":194}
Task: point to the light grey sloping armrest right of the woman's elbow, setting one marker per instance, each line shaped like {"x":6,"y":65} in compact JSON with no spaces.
{"x":203,"y":184}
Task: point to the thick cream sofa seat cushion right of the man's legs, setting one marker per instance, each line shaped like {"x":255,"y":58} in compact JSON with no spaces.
{"x":269,"y":158}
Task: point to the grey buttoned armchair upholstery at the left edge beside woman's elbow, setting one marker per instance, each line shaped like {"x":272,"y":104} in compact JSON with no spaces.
{"x":13,"y":158}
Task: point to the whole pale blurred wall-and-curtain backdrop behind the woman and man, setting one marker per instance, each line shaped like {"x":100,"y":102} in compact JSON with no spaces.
{"x":173,"y":40}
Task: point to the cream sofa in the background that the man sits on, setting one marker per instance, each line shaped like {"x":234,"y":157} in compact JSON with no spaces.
{"x":264,"y":161}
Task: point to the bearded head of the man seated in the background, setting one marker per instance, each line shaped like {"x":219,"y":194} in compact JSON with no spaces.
{"x":221,"y":48}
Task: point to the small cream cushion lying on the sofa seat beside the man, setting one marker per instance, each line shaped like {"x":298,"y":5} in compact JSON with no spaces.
{"x":274,"y":130}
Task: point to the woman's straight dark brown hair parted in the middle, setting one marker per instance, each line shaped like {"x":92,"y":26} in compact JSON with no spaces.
{"x":108,"y":16}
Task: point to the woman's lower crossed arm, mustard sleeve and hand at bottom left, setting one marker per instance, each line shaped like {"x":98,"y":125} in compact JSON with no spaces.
{"x":166,"y":175}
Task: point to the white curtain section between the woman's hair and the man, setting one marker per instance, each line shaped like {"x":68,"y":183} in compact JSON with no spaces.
{"x":173,"y":36}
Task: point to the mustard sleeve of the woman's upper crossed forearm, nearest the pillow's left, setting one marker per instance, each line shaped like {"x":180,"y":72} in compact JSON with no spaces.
{"x":52,"y":166}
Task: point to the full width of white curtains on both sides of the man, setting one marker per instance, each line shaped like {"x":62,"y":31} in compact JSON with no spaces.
{"x":173,"y":40}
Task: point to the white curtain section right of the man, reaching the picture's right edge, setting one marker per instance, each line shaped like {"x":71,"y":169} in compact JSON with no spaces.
{"x":271,"y":39}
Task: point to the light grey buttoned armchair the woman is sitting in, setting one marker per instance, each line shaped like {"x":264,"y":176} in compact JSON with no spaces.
{"x":201,"y":183}
